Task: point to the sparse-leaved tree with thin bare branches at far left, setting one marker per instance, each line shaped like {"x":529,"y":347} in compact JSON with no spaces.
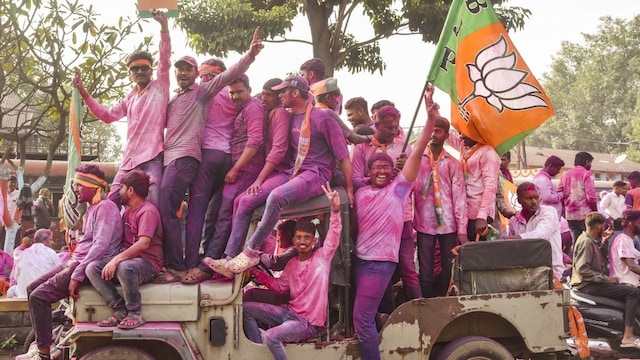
{"x":42,"y":44}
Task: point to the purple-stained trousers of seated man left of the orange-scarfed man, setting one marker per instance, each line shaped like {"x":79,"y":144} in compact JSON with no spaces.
{"x":244,"y":206}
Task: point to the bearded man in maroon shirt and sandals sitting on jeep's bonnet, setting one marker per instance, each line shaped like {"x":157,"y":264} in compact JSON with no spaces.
{"x":140,"y":257}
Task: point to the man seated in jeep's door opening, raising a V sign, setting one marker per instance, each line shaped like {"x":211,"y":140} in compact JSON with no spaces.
{"x":305,"y":279}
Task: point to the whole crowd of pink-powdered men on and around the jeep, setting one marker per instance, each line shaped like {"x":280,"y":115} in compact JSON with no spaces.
{"x":232,"y":152}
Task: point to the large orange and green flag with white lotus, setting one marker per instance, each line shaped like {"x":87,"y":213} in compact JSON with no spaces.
{"x":495,"y":99}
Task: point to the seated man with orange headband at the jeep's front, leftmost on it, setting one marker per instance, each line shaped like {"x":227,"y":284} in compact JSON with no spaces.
{"x":102,"y":238}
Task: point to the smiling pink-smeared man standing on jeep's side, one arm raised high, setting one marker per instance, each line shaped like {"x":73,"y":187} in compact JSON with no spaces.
{"x":379,"y":233}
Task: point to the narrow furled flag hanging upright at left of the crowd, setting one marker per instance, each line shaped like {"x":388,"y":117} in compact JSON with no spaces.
{"x":72,"y":212}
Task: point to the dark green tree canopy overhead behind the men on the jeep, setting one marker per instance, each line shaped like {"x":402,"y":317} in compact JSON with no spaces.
{"x":216,"y":27}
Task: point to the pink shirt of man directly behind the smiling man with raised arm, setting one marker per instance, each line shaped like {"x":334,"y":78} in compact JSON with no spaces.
{"x":360,"y":168}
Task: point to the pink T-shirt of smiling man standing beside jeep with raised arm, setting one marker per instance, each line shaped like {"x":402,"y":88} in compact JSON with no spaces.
{"x":379,"y":226}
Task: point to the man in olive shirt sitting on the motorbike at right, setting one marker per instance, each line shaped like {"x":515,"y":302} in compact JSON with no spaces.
{"x":589,"y":269}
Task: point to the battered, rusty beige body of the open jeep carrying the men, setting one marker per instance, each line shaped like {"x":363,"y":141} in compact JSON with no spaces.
{"x":204,"y":321}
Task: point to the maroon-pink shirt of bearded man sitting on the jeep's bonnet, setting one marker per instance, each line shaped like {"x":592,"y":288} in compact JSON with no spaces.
{"x":144,"y":221}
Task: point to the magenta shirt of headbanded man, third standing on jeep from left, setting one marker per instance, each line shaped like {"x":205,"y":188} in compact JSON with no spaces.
{"x":219,"y":125}
